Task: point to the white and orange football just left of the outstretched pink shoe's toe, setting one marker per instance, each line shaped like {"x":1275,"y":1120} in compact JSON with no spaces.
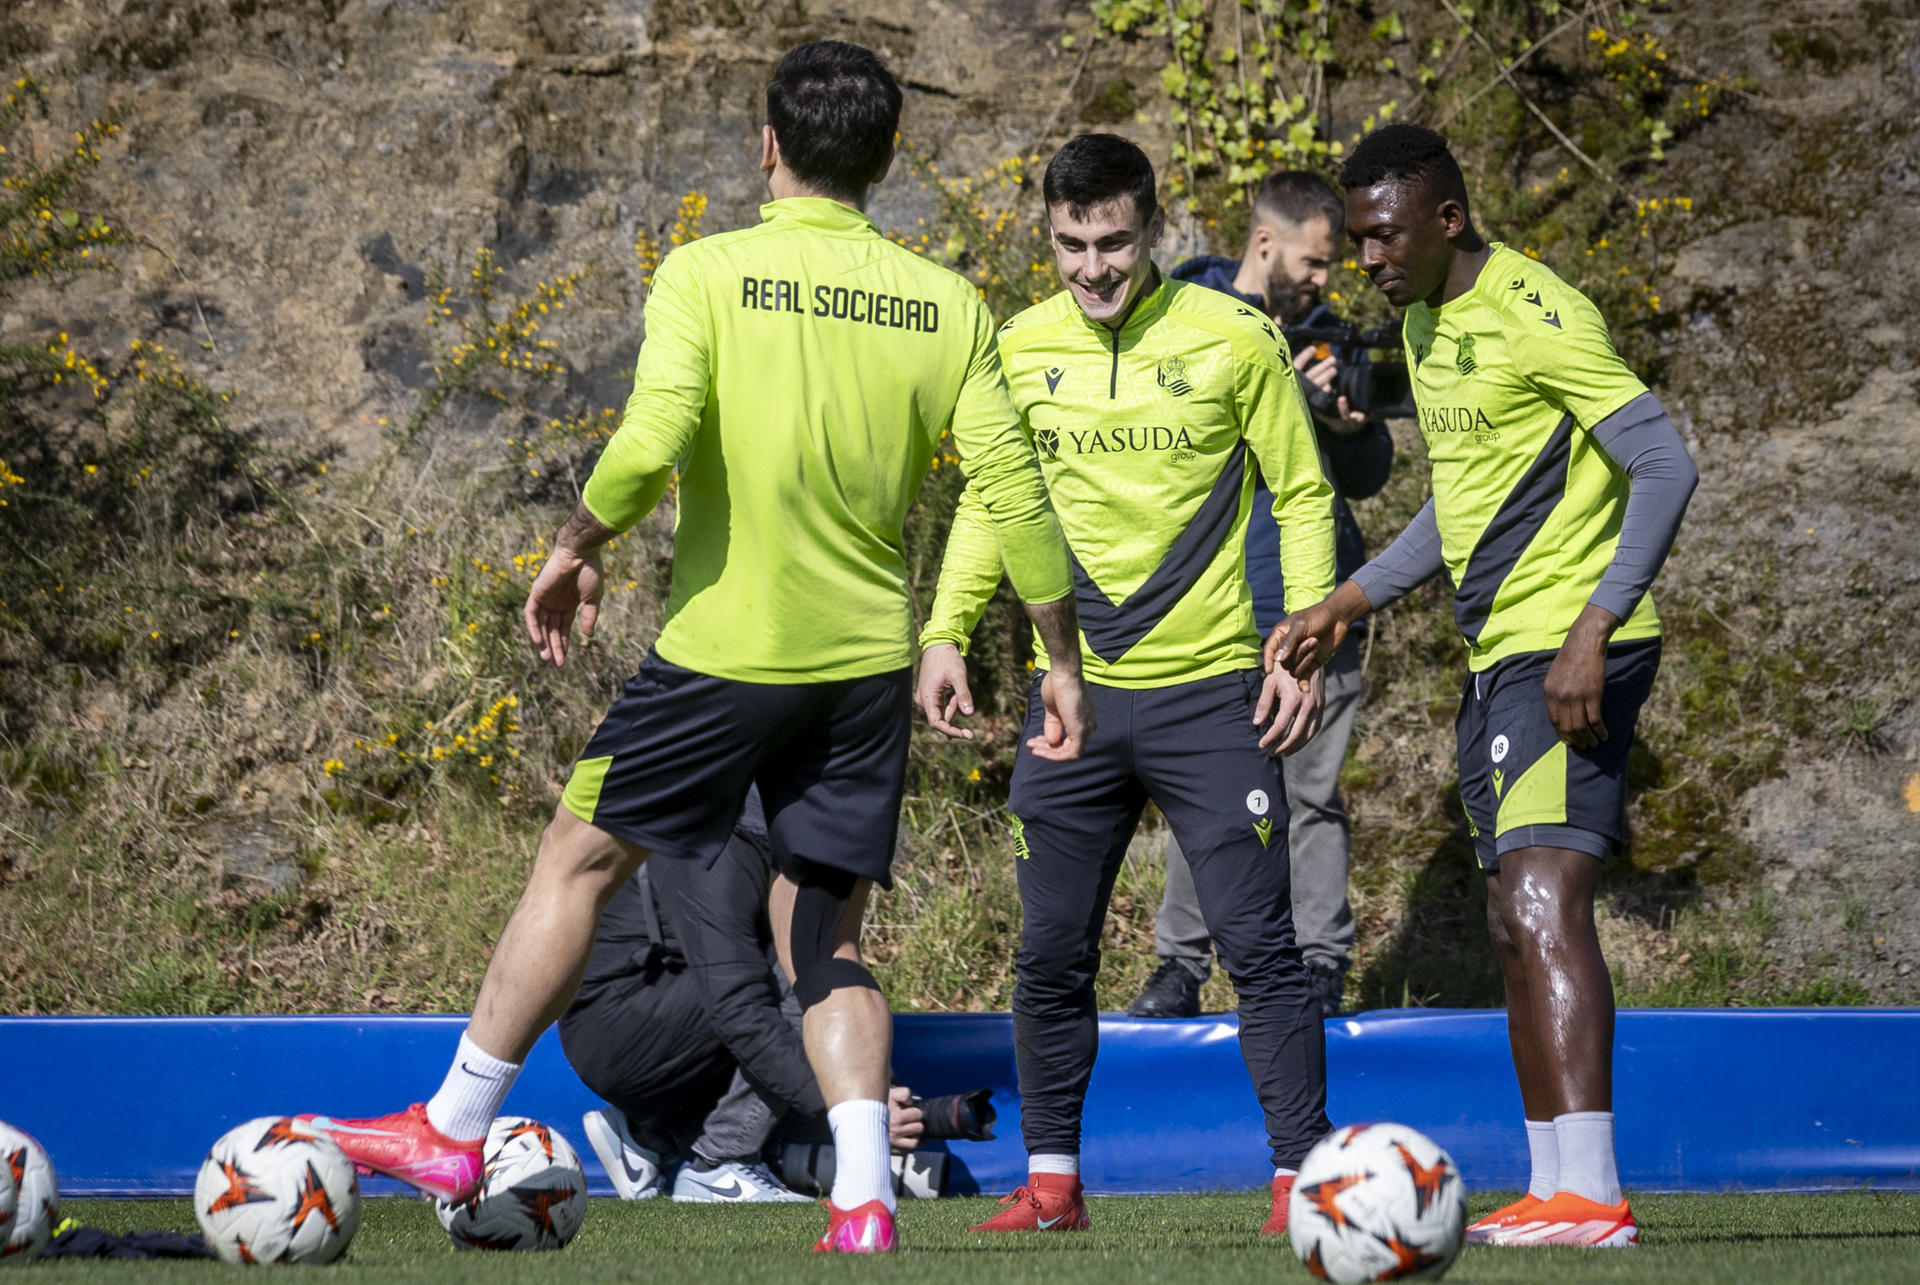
{"x":274,"y":1190}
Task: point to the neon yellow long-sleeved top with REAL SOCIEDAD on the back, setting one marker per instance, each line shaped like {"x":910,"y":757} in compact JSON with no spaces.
{"x":800,"y":376}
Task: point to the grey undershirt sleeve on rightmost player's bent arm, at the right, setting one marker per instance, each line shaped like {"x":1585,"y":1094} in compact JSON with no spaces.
{"x":1662,"y":479}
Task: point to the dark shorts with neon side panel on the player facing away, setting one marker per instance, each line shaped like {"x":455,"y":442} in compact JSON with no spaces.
{"x":671,"y":764}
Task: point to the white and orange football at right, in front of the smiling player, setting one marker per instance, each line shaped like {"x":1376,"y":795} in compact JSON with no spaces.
{"x":1378,"y":1203}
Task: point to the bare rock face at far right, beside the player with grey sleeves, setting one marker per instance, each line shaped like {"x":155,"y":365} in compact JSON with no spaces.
{"x":1796,"y":368}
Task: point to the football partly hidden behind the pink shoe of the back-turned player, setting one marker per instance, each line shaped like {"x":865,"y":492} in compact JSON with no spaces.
{"x":533,"y":1192}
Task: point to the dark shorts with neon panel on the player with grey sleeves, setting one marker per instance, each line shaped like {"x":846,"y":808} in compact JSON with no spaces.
{"x":1527,"y":788}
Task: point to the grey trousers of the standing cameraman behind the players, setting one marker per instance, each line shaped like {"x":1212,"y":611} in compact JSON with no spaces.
{"x":1318,"y":842}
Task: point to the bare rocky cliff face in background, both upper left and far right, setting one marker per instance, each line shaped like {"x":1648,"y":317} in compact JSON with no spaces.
{"x":297,"y":166}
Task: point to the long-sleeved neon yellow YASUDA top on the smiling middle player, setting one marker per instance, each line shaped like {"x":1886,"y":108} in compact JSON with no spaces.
{"x":1149,"y":439}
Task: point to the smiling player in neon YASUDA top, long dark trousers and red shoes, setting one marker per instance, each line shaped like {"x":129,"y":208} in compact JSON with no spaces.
{"x":1153,"y":402}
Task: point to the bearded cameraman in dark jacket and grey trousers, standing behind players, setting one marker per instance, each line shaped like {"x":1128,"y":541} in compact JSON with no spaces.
{"x":1299,"y":224}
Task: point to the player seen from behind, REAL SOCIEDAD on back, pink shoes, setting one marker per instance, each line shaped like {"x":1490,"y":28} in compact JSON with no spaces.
{"x":798,"y":376}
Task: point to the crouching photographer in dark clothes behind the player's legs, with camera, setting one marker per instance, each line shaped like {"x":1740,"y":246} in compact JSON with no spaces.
{"x":688,"y":1029}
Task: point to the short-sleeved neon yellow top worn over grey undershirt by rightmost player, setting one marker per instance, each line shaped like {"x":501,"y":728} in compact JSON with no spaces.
{"x":1510,"y":381}
